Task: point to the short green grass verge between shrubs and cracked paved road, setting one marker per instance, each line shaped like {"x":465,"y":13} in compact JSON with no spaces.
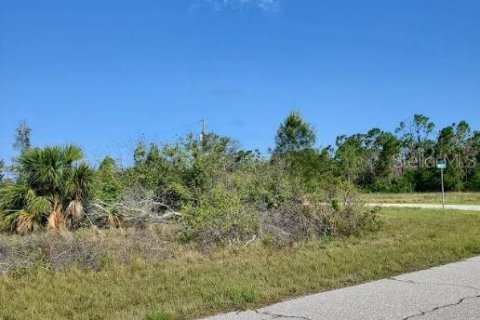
{"x":198,"y":284}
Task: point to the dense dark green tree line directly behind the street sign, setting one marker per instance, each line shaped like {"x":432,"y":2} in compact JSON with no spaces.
{"x":405,"y":160}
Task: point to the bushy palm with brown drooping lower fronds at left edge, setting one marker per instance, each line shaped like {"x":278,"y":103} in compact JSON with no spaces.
{"x":53,"y":189}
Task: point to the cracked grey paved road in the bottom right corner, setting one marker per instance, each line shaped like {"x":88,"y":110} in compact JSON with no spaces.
{"x":443,"y":293}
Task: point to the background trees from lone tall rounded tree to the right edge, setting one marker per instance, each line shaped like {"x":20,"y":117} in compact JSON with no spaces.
{"x":382,"y":161}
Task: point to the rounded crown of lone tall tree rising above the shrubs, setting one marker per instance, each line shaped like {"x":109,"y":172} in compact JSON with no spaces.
{"x":294,"y":134}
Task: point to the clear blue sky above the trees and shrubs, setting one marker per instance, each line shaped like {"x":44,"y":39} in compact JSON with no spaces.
{"x":102,"y":73}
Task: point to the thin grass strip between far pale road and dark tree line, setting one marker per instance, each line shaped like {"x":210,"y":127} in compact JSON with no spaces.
{"x":450,"y":197}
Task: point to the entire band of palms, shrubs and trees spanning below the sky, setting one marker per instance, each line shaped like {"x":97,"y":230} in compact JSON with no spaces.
{"x":218,"y":190}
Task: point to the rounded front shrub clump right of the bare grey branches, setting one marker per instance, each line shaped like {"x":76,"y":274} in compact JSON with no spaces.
{"x":271,"y":205}
